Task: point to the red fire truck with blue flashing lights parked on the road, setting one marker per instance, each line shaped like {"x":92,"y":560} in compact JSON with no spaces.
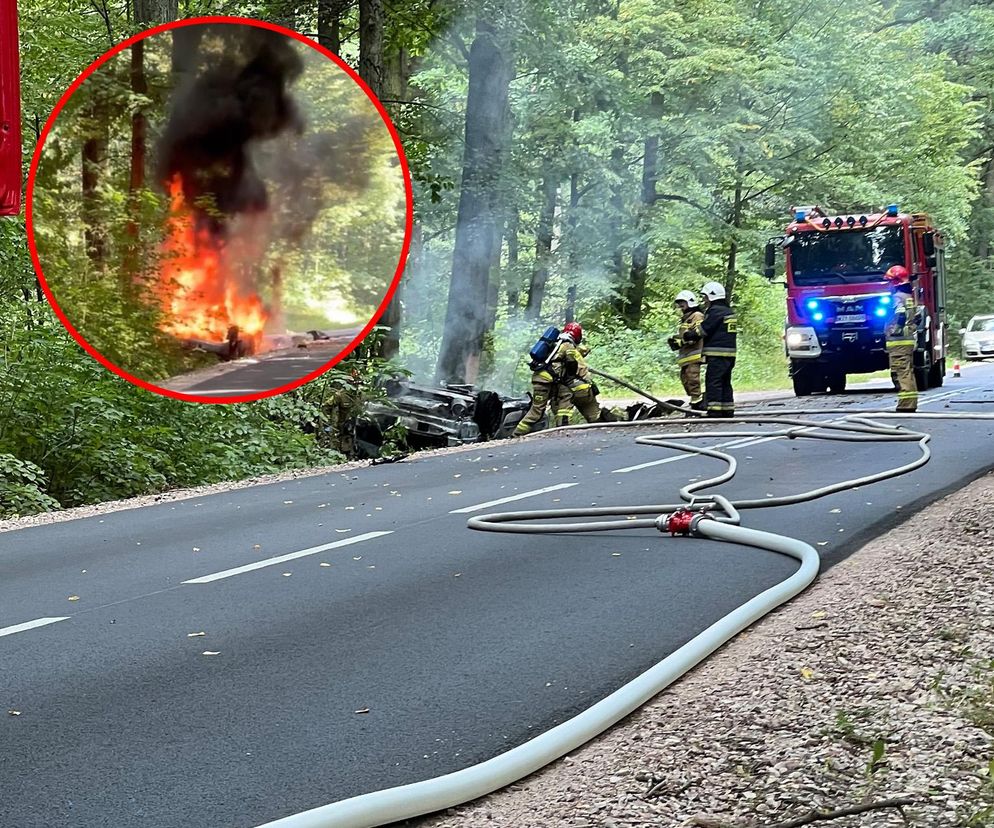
{"x":838,"y":301}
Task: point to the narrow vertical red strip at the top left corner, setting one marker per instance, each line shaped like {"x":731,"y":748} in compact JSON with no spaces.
{"x":10,"y":112}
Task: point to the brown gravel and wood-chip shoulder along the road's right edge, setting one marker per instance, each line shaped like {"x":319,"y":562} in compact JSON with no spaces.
{"x":875,"y":683}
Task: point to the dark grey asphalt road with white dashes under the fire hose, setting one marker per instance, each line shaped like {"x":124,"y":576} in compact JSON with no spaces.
{"x":393,"y":644}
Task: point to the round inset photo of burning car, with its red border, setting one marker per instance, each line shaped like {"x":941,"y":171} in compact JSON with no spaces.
{"x":219,"y":210}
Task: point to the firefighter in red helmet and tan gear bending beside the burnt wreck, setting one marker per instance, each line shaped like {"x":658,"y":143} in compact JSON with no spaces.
{"x":563,"y":381}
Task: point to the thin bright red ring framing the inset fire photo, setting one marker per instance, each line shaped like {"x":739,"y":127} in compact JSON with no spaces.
{"x":408,"y":224}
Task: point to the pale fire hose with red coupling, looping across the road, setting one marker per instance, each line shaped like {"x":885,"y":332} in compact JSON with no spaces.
{"x":708,"y":516}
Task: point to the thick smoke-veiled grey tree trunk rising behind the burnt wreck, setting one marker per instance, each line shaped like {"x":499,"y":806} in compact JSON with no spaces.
{"x":490,"y":73}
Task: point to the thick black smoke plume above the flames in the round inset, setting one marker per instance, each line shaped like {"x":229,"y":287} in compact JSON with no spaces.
{"x":233,"y":90}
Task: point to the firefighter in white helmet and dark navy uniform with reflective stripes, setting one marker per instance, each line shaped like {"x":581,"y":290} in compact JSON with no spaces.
{"x":717,"y":334}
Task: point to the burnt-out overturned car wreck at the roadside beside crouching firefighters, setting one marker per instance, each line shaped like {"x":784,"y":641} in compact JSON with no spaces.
{"x":438,"y":417}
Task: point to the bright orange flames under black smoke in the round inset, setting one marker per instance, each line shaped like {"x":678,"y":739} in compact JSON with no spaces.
{"x":198,"y":290}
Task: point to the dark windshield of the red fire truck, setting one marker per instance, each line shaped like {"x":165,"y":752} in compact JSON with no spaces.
{"x":845,"y":256}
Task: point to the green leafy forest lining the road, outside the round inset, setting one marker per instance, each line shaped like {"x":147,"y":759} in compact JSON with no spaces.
{"x":569,"y":159}
